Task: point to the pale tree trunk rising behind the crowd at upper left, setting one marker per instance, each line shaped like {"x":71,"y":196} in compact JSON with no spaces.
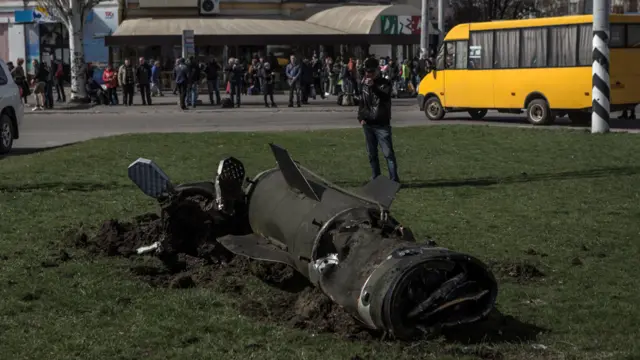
{"x":72,"y":13}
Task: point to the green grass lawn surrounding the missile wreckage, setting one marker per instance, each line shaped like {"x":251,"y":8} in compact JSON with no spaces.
{"x":492,"y":192}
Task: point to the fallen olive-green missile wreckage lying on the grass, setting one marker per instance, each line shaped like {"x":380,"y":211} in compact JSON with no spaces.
{"x":346,"y":243}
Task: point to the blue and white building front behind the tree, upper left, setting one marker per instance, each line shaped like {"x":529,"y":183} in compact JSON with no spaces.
{"x":28,"y":31}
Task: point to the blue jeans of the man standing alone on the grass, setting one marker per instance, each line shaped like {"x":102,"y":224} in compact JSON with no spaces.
{"x":375,"y":135}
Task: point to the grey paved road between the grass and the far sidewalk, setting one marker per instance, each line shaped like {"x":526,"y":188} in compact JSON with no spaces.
{"x":55,"y":129}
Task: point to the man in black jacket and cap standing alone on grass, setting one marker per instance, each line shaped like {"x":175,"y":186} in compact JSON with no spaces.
{"x":374,"y":114}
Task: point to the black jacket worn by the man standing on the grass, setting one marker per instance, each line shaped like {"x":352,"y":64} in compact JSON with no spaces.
{"x":375,"y":103}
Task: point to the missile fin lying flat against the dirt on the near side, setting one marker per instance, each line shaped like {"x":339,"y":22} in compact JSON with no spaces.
{"x":256,"y":247}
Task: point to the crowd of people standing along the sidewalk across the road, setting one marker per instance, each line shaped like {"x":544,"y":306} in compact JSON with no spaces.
{"x":308,"y":78}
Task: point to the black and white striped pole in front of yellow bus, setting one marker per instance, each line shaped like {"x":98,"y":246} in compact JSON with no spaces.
{"x":601,"y":87}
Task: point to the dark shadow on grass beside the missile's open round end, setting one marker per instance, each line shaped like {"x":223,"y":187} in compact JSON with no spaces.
{"x":496,"y":328}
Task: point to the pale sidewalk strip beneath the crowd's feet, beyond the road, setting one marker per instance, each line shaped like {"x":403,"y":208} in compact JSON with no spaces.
{"x":251,"y":103}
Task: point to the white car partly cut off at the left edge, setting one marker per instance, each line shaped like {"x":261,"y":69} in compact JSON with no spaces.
{"x":11,"y":109}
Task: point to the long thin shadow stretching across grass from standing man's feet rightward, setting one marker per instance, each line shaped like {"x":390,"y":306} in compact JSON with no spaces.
{"x":515,"y":179}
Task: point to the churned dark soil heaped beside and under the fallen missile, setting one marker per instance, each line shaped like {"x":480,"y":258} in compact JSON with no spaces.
{"x":191,"y":257}
